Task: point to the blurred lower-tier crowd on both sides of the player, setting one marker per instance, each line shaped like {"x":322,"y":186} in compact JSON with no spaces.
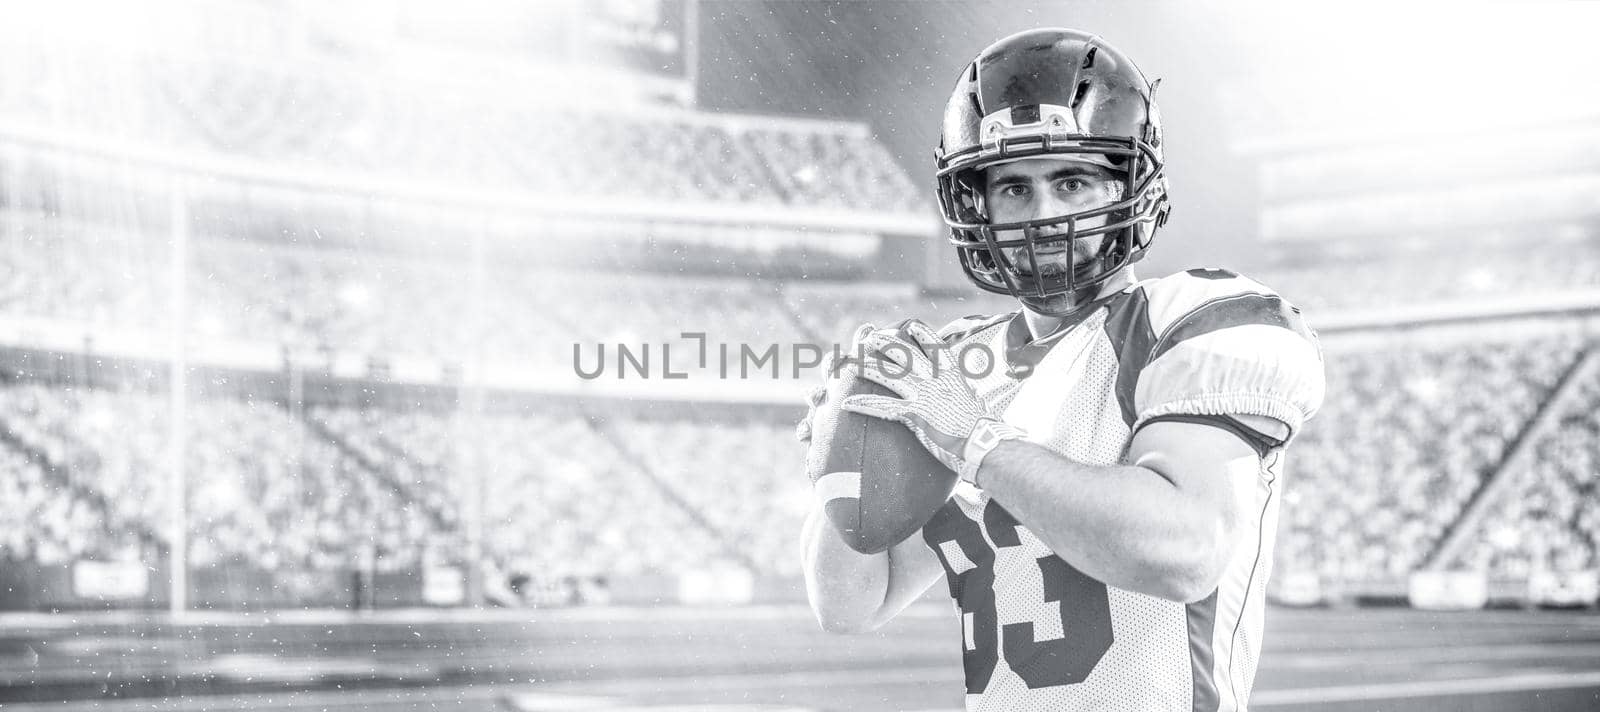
{"x":1407,"y":438}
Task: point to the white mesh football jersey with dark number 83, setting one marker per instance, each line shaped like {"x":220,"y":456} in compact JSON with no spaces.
{"x":1042,"y":636}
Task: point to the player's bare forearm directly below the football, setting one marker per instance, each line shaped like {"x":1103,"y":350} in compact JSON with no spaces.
{"x":846,"y":588}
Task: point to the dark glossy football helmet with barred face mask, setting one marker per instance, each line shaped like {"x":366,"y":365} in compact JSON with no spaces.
{"x":1052,"y":94}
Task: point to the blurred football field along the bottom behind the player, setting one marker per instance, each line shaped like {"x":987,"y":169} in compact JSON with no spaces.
{"x":730,"y":660}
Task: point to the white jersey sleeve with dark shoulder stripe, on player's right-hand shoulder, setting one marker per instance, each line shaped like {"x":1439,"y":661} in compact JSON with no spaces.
{"x":1226,"y":345}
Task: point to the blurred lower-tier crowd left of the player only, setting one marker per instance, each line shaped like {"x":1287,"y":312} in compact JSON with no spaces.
{"x":89,"y":478}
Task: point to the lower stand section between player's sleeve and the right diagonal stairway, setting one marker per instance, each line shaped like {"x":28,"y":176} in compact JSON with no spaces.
{"x":1406,"y":438}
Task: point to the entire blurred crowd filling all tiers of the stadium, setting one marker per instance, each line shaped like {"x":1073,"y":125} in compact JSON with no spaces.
{"x":1409,"y":436}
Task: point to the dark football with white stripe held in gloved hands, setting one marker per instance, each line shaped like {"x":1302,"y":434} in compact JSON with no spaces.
{"x":881,"y":486}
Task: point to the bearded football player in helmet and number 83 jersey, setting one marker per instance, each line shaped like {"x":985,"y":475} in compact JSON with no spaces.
{"x":1110,"y":542}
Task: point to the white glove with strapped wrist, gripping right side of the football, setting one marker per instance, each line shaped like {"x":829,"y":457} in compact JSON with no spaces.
{"x":934,"y":398}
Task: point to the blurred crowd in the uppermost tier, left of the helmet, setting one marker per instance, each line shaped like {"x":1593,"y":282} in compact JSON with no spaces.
{"x":332,"y":116}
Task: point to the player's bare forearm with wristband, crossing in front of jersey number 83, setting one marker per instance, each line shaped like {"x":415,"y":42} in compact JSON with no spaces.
{"x":1124,"y":526}
